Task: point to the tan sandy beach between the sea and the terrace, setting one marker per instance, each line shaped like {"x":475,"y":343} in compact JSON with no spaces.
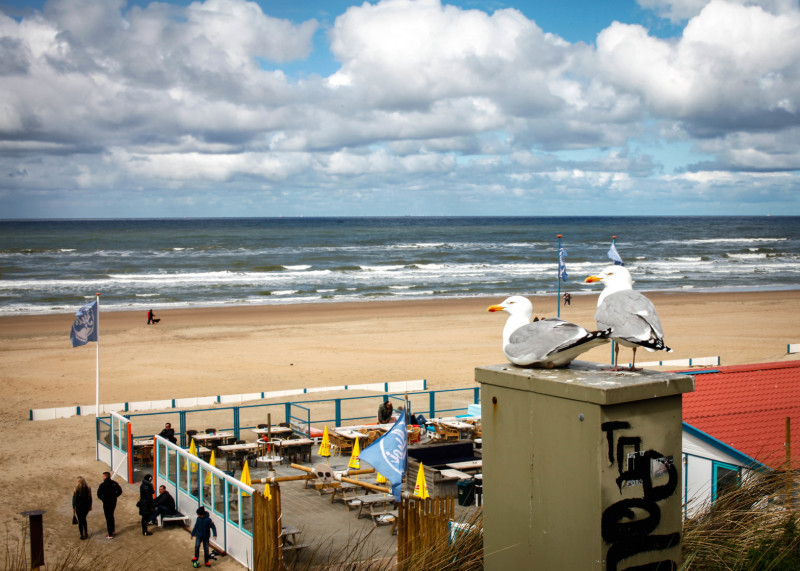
{"x":201,"y":352}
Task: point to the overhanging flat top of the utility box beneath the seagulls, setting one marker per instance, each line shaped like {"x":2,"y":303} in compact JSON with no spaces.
{"x":588,"y":382}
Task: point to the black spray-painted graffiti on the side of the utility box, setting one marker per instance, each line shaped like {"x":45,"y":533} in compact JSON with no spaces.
{"x":628,"y":525}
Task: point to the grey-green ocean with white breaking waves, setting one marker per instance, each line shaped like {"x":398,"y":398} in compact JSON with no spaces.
{"x":54,"y":266}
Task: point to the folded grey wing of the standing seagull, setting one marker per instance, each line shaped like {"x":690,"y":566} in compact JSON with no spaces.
{"x":631,"y":316}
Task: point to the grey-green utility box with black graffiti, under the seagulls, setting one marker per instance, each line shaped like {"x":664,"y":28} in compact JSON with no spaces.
{"x":581,"y":467}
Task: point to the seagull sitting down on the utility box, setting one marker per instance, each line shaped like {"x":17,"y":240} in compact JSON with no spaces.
{"x":545,"y":343}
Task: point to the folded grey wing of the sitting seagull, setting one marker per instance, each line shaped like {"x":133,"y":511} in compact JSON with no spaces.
{"x":550,"y":342}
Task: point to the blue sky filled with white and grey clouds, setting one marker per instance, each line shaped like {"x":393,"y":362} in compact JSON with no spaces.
{"x":117,"y":109}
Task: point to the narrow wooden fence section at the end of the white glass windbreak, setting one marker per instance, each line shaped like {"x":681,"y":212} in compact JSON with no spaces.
{"x":267,"y":541}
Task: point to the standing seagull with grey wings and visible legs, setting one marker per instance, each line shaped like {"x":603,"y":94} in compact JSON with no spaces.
{"x":631,"y":317}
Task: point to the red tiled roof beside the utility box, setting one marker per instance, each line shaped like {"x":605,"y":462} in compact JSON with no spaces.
{"x":745,"y":406}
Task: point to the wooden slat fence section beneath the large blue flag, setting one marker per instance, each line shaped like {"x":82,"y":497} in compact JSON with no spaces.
{"x":421,"y":524}
